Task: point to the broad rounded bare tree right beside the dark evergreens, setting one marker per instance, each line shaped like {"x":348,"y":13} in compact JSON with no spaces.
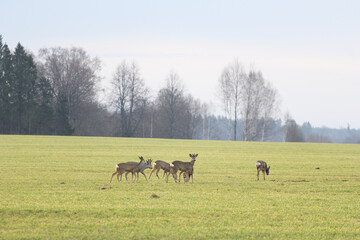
{"x":73,"y":76}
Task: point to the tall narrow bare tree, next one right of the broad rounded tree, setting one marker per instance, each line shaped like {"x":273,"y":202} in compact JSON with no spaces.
{"x":130,"y":97}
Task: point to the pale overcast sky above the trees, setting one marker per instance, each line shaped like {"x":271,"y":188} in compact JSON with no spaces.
{"x":309,"y":50}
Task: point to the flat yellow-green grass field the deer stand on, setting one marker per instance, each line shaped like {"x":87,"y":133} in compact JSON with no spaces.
{"x":50,"y":189}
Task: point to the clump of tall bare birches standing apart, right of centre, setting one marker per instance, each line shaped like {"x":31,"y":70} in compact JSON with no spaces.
{"x":250,"y":96}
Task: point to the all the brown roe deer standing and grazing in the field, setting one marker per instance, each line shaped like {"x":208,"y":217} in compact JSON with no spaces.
{"x":185,"y":168}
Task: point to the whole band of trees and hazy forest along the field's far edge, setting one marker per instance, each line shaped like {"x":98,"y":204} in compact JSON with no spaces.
{"x":57,"y":93}
